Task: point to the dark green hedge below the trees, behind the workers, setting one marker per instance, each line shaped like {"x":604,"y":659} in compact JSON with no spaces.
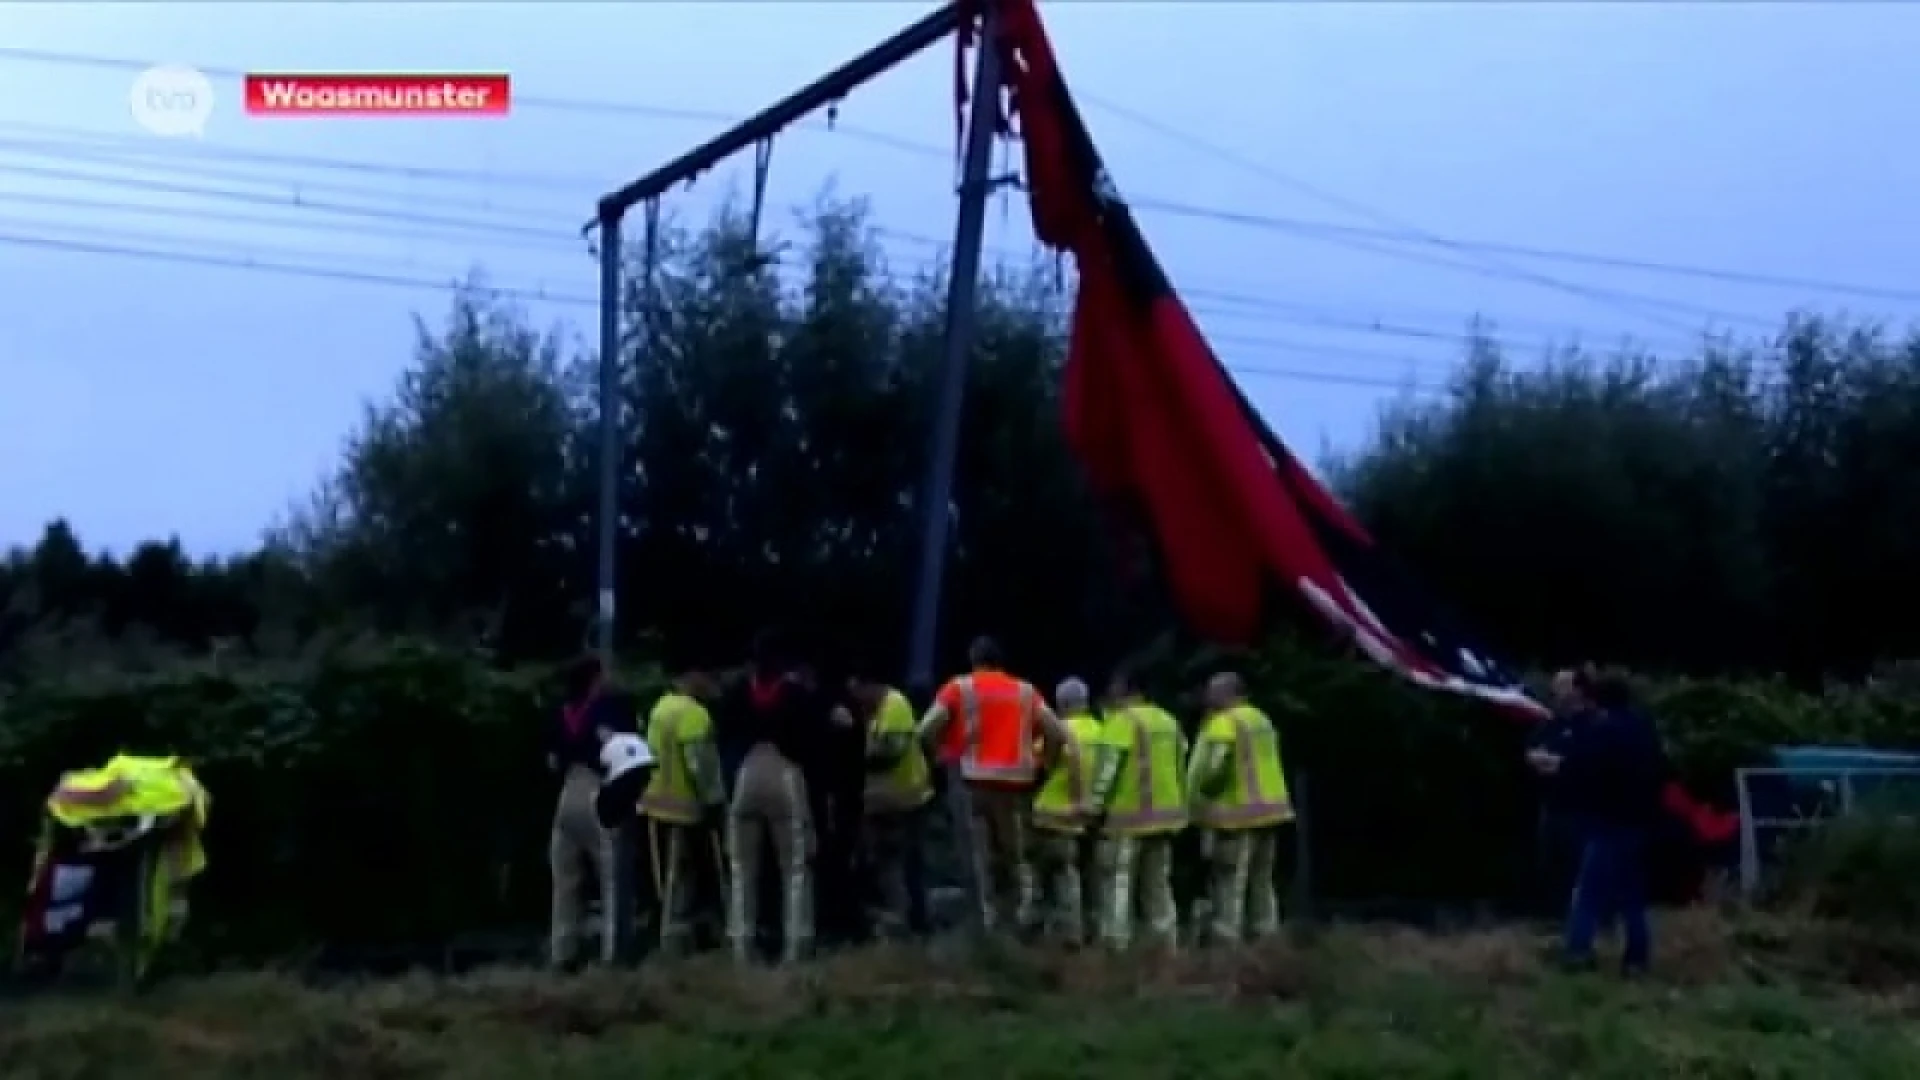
{"x":396,"y":797}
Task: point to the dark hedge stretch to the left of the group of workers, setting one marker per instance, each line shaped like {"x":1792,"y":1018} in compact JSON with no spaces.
{"x":372,"y":797}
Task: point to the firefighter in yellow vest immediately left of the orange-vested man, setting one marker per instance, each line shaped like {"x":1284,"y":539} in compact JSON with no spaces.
{"x":900,"y":785}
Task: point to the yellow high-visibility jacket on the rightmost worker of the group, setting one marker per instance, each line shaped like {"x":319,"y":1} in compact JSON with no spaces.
{"x":1236,"y":772}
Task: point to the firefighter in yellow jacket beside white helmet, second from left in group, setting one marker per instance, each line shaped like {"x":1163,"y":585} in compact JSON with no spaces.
{"x":684,"y":802}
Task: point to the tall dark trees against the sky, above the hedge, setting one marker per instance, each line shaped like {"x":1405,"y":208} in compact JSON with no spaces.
{"x":1739,"y":510}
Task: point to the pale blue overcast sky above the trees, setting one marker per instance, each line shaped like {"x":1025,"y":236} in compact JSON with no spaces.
{"x":147,"y":399}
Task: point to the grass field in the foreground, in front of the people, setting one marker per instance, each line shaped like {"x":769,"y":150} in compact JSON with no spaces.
{"x":1737,"y":1000}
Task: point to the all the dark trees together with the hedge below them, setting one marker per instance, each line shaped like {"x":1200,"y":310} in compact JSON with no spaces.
{"x":1731,"y":520}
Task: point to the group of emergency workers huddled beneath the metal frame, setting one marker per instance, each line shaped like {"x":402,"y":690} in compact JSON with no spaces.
{"x":784,"y":793}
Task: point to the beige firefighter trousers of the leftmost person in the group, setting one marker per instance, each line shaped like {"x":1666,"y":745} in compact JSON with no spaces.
{"x":581,"y":850}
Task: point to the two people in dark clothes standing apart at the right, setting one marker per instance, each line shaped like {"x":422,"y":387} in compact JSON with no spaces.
{"x":1602,"y":770}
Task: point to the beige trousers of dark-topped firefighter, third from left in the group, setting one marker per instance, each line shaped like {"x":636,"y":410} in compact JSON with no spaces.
{"x":769,"y":812}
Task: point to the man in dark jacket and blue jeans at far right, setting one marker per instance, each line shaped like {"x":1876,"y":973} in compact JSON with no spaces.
{"x":1612,"y":770}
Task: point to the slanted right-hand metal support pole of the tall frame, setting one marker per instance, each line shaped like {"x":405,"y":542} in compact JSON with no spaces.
{"x":944,"y":443}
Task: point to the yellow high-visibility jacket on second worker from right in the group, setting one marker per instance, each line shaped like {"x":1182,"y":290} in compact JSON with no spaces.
{"x":1143,"y":777}
